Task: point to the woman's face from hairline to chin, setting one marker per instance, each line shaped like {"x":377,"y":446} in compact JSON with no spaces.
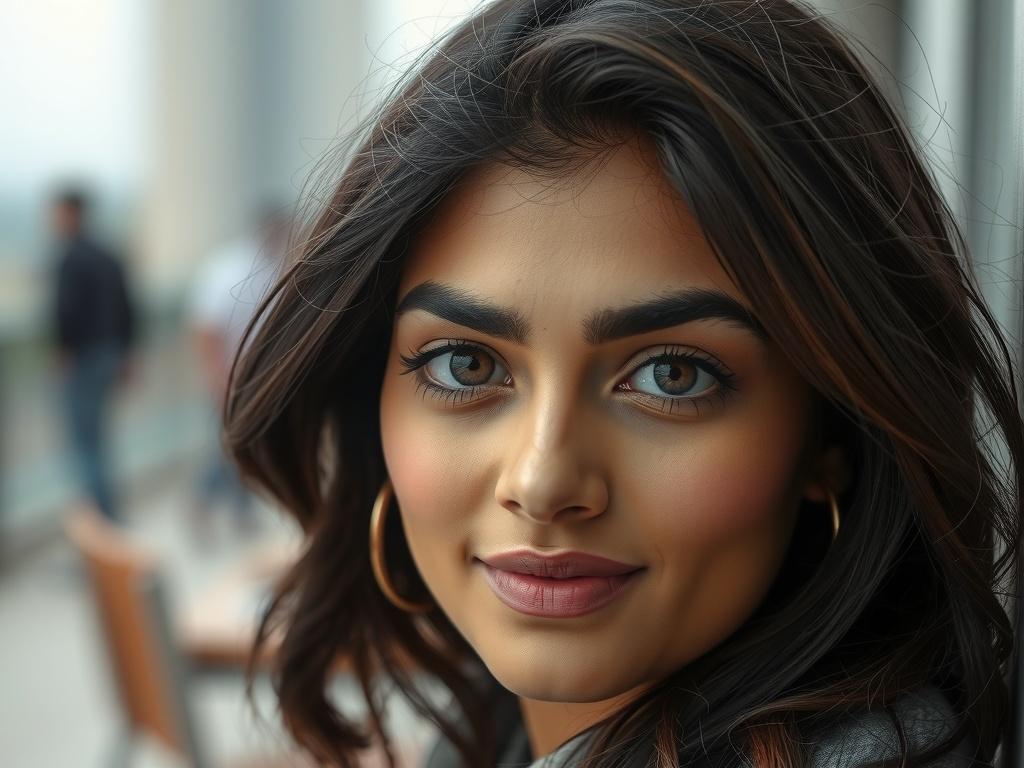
{"x":587,"y":386}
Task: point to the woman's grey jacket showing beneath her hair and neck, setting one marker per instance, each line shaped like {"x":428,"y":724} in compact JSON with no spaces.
{"x":926,"y":715}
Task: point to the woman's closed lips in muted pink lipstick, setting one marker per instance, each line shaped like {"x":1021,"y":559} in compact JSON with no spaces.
{"x":563,"y":586}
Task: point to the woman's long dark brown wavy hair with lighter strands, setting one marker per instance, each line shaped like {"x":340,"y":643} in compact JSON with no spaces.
{"x":812,"y":192}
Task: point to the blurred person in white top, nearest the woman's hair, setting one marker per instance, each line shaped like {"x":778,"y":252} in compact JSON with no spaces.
{"x":225,"y":296}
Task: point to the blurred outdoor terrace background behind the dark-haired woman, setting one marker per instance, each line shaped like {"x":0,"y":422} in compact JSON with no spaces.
{"x":178,"y":138}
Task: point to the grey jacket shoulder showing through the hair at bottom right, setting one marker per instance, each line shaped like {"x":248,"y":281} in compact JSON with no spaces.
{"x":926,"y":717}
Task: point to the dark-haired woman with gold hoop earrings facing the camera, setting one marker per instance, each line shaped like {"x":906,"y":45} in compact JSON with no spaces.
{"x":632,"y":387}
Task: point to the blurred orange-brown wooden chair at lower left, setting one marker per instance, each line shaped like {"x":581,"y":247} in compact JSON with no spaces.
{"x":151,"y":674}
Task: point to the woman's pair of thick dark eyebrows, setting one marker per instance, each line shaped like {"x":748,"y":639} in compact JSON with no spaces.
{"x":666,"y":311}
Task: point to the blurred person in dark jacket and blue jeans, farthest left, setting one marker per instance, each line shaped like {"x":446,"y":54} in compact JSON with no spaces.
{"x":95,"y":330}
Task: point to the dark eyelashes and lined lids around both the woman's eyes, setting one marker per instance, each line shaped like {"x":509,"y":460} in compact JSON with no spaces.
{"x":453,"y":398}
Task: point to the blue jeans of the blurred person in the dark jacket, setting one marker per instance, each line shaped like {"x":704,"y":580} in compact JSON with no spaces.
{"x":90,"y":386}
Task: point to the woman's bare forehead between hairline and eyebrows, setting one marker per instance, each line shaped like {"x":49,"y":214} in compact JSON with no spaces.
{"x":614,"y":231}
